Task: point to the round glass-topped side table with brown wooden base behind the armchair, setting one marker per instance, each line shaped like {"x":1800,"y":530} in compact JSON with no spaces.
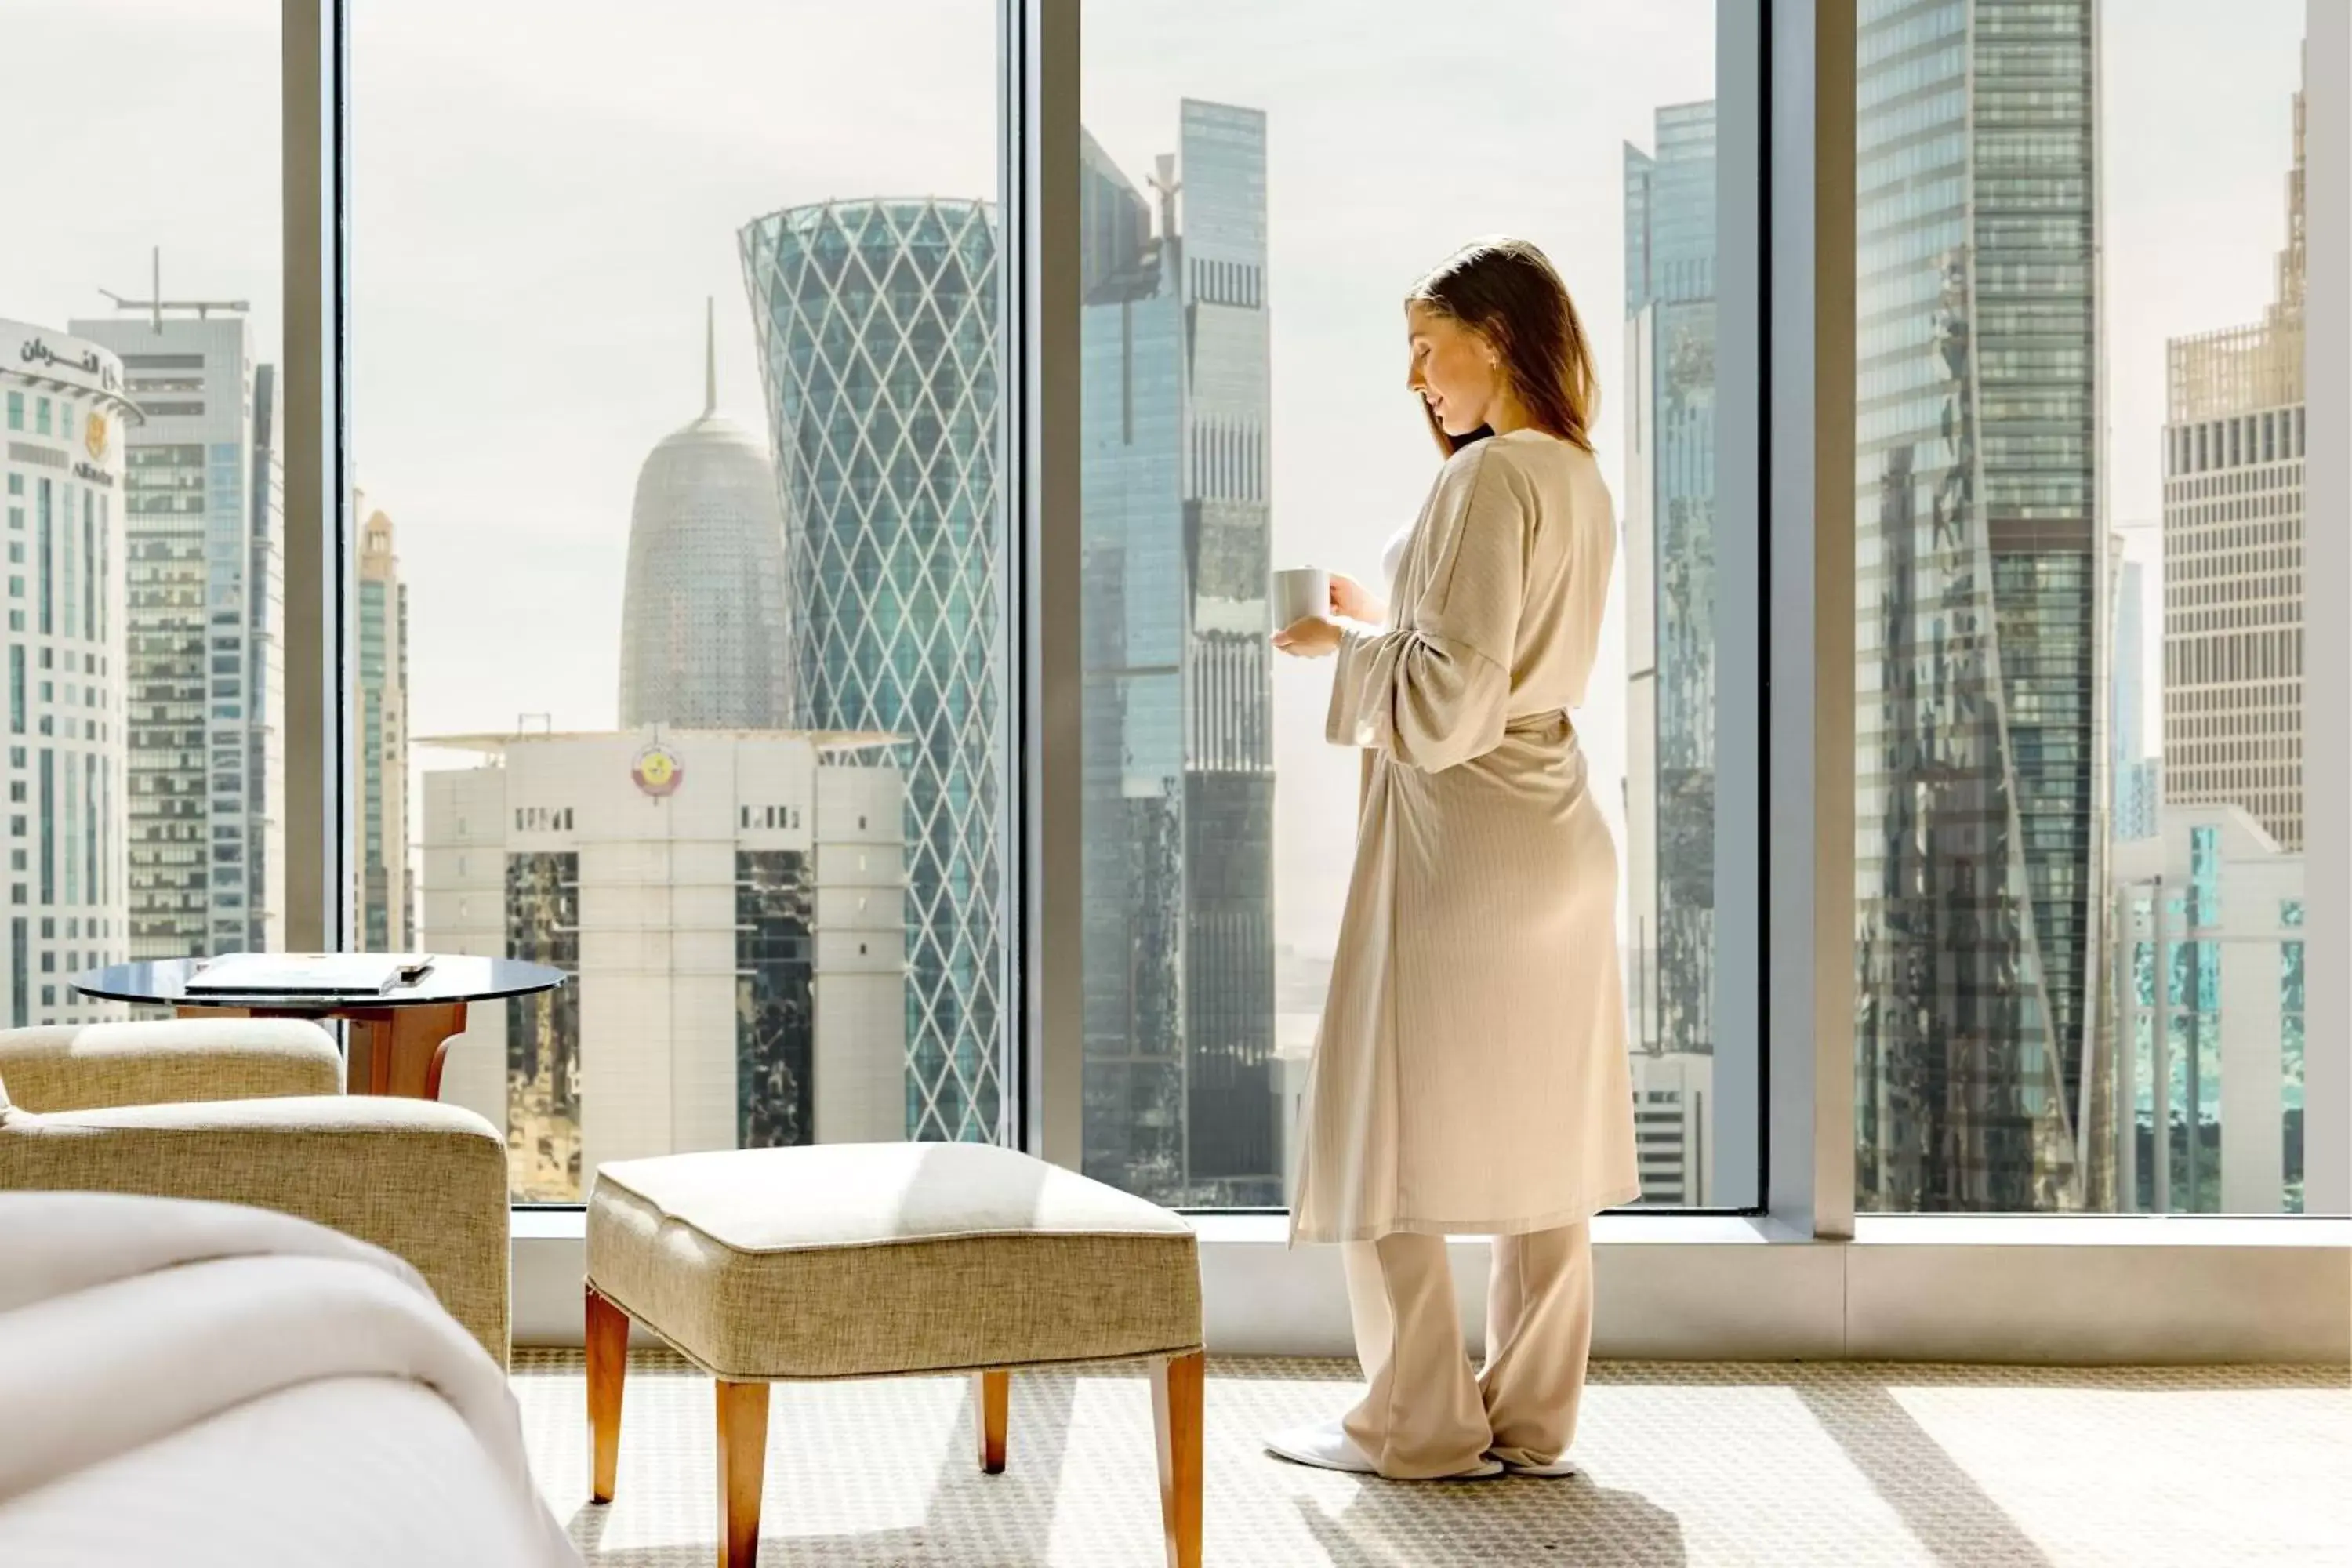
{"x":401,"y":1036}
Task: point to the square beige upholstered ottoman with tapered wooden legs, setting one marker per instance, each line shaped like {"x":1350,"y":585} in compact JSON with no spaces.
{"x":888,"y":1261}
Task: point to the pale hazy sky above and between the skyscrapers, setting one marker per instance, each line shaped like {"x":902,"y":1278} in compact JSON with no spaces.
{"x":547,"y":189}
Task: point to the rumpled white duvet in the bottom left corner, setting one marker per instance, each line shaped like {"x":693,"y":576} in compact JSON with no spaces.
{"x":201,"y":1383}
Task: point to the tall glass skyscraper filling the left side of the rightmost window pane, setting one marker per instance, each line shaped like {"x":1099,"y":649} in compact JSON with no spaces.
{"x":1982,"y":582}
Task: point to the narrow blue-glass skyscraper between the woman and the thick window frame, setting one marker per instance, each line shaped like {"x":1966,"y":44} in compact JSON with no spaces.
{"x":1671,"y":634}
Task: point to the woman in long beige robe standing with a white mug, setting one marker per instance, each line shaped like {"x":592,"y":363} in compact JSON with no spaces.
{"x":1471,"y":1068}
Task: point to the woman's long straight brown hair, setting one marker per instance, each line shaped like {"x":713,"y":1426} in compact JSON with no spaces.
{"x":1511,"y":295}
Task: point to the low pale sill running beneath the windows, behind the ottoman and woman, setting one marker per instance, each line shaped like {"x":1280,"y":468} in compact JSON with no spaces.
{"x":2040,"y":1289}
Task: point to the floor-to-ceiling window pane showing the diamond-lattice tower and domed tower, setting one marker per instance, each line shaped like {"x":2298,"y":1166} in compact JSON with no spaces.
{"x":674,"y":424}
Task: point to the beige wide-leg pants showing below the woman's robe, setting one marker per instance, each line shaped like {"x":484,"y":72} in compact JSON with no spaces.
{"x":1426,"y":1414}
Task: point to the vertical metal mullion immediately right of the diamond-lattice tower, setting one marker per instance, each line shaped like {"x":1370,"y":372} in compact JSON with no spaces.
{"x":1041,"y":584}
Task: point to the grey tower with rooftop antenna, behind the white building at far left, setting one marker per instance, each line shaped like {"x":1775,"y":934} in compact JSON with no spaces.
{"x":206,"y":582}
